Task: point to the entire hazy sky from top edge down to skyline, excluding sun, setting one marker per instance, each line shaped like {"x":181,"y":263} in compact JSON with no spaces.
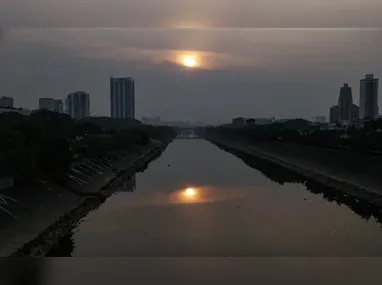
{"x":257,"y":58}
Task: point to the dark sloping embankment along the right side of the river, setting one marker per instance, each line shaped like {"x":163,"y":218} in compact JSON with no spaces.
{"x":307,"y":168}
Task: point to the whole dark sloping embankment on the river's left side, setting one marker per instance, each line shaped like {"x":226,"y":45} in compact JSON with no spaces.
{"x":37,"y":225}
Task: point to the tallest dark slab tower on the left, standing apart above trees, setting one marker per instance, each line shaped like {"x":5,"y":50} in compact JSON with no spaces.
{"x":122,"y":97}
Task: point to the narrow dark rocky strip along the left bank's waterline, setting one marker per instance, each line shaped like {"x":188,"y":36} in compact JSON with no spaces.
{"x":51,"y":236}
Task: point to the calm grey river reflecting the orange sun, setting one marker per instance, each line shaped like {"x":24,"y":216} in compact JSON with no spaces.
{"x":197,"y":200}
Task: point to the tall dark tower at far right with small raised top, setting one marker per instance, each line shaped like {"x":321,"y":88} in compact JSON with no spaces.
{"x":368,"y":106}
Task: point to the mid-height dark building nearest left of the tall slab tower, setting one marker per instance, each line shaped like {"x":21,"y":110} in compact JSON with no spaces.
{"x":78,"y":104}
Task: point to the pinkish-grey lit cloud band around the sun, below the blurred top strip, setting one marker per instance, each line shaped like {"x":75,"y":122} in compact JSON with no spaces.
{"x":217,"y":49}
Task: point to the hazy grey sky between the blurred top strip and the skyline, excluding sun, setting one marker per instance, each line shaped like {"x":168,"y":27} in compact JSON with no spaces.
{"x":259,"y":72}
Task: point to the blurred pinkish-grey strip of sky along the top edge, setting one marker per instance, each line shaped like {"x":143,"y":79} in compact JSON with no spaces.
{"x":196,"y":13}
